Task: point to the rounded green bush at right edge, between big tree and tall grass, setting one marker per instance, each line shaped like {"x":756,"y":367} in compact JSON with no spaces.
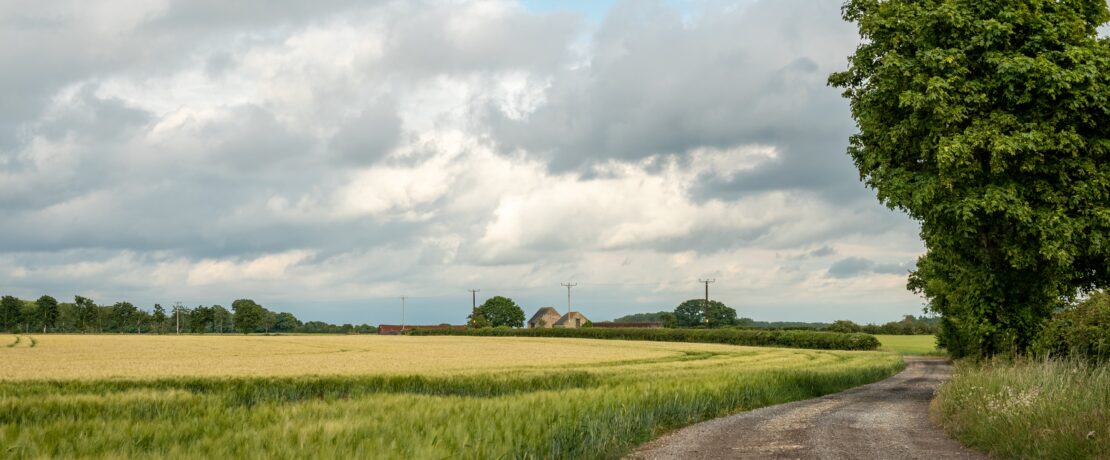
{"x":1079,"y":333}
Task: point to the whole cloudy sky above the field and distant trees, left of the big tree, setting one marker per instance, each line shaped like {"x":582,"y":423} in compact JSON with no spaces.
{"x":327,"y":157}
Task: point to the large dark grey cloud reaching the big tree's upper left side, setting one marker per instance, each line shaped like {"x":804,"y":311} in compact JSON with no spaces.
{"x":659,"y":86}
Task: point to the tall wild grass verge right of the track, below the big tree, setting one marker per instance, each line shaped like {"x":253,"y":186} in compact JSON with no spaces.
{"x":1052,"y":409}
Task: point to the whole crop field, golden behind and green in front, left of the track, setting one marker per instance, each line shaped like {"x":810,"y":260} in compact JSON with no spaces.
{"x":388,"y":397}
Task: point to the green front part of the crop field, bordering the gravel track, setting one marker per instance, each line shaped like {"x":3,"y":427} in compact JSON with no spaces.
{"x":589,"y":411}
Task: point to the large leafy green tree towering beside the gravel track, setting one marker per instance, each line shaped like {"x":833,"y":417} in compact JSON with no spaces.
{"x":988,"y":122}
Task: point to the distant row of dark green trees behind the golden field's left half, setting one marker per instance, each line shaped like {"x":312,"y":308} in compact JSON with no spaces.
{"x":84,"y":315}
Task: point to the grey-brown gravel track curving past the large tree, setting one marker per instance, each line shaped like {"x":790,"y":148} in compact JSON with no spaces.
{"x":885,"y":421}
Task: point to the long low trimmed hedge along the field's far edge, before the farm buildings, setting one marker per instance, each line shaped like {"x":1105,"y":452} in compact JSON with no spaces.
{"x":740,"y":337}
